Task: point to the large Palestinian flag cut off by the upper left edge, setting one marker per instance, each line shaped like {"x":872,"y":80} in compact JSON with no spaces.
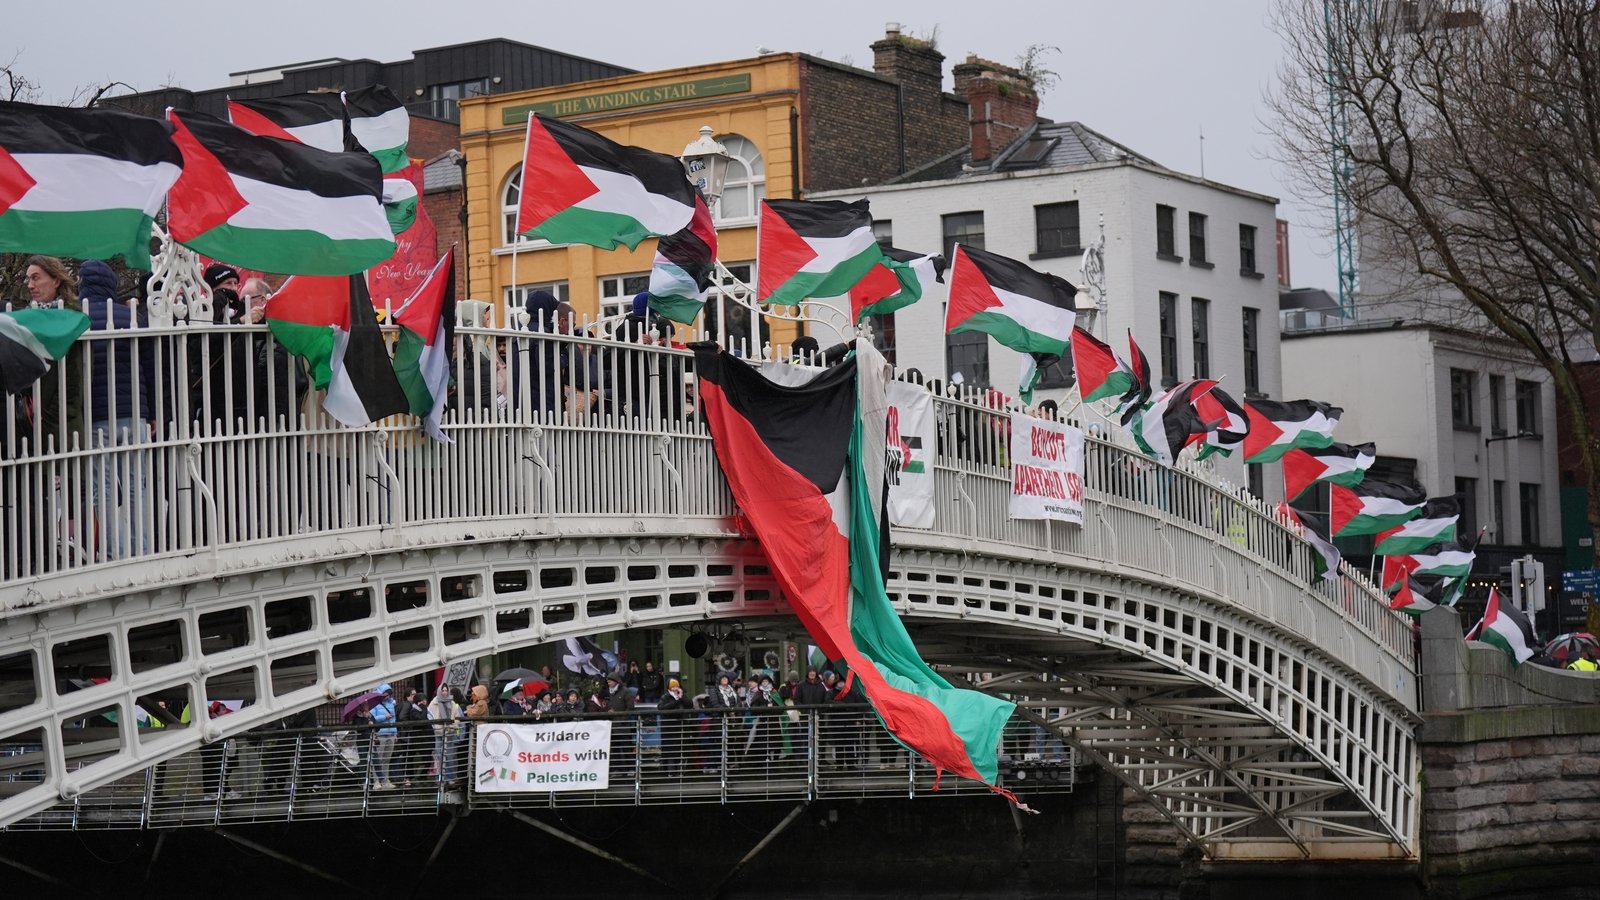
{"x":82,"y":183}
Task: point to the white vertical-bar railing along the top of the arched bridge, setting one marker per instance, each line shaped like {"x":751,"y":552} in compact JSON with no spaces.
{"x":199,"y":449}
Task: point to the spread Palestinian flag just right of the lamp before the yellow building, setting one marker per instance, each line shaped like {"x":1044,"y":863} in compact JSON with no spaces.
{"x":814,"y":249}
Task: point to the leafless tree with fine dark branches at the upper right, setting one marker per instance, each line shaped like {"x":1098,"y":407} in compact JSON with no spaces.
{"x":1471,"y":131}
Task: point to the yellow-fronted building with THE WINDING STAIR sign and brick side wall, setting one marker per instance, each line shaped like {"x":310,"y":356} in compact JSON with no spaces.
{"x":791,"y":123}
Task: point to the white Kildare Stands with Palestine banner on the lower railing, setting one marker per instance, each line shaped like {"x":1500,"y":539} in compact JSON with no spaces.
{"x":558,"y":757}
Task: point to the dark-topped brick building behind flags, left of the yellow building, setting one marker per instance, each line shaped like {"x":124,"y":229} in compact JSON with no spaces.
{"x":431,"y":82}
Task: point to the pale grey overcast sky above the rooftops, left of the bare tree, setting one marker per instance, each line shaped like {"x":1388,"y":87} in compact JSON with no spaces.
{"x":1150,"y":74}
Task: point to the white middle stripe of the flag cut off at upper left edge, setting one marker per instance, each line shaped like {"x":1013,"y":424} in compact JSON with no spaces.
{"x":82,"y":183}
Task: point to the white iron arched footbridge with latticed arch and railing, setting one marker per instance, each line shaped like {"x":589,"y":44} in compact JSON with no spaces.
{"x":1177,"y":640}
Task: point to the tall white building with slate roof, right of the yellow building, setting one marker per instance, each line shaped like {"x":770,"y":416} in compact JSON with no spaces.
{"x":1190,"y":263}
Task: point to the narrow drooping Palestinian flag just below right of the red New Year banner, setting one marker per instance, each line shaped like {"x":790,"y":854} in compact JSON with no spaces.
{"x":428,"y":327}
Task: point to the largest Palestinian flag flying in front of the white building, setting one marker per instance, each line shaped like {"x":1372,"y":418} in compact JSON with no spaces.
{"x":1023,"y":310}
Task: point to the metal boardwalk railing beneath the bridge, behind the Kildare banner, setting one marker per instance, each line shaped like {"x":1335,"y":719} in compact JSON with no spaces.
{"x":698,"y":757}
